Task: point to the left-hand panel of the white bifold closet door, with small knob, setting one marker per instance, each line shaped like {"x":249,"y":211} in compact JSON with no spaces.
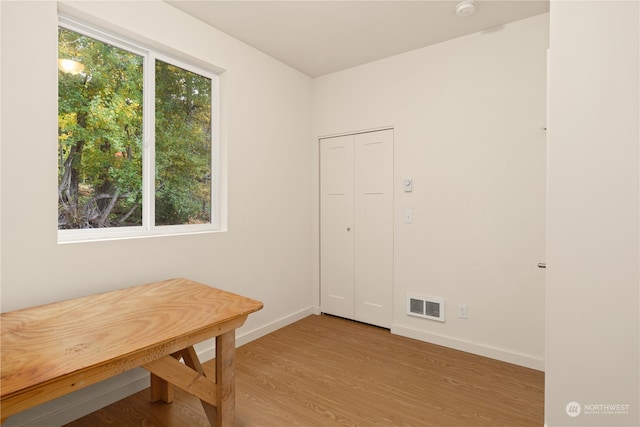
{"x":336,"y":226}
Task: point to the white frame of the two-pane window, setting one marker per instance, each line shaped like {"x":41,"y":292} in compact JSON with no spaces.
{"x":148,"y":227}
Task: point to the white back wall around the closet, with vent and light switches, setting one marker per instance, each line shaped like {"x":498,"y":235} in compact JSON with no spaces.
{"x":468,"y":117}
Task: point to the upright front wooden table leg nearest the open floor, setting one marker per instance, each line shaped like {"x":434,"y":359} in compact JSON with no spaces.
{"x":225,"y":379}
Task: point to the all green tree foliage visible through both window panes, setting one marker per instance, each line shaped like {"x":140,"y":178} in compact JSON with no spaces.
{"x":100,"y":139}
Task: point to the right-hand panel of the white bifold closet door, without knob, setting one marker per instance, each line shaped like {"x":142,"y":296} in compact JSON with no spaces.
{"x":373,"y":213}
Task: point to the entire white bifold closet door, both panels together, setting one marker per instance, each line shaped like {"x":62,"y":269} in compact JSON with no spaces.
{"x":356,"y":226}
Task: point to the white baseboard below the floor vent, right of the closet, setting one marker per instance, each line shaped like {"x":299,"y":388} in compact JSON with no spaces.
{"x":470,"y":347}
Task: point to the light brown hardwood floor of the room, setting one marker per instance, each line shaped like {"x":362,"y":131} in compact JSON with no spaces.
{"x":327,"y":371}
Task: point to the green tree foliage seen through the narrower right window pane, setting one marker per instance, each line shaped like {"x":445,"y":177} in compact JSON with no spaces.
{"x":183,"y":146}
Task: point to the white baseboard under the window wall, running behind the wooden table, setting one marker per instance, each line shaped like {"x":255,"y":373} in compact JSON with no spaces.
{"x":83,"y":402}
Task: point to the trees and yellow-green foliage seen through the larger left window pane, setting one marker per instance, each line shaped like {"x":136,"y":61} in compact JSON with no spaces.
{"x":99,"y":135}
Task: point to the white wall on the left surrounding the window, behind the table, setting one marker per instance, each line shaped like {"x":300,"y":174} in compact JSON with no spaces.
{"x":266,"y":254}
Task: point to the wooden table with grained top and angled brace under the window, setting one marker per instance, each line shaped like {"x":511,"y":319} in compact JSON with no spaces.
{"x":55,"y":349}
